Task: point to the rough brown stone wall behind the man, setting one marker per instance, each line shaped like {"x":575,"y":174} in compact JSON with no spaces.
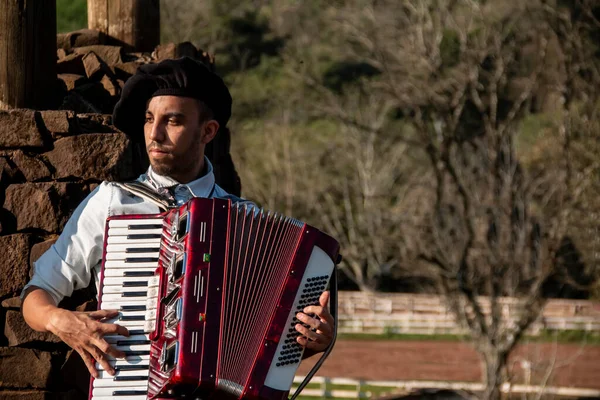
{"x":49,"y":162}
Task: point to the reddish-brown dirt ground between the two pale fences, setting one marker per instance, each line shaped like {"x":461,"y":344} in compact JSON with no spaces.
{"x":569,"y":364}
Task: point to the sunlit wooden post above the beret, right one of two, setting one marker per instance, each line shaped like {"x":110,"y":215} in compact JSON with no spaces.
{"x":134,"y":24}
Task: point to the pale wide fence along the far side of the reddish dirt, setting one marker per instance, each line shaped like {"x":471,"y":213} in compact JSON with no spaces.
{"x":364,"y":313}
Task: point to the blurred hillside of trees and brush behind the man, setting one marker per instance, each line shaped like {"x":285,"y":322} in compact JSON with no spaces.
{"x":460,"y":136}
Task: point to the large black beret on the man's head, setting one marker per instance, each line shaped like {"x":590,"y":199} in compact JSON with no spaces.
{"x":184,"y":77}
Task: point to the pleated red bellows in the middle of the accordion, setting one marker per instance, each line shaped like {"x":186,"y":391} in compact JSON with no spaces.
{"x":262,"y":248}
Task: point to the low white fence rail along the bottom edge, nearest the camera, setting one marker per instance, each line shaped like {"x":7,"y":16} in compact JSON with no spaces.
{"x":327,"y":388}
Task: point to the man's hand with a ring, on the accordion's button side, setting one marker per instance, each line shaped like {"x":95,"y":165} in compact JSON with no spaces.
{"x":322,"y":321}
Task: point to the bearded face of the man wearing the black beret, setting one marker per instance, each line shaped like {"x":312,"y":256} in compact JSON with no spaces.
{"x":176,"y":135}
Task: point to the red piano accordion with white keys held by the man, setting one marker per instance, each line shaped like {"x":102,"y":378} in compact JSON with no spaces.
{"x":209,"y":292}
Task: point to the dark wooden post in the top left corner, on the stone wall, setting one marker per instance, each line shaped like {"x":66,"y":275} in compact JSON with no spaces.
{"x":27,"y":53}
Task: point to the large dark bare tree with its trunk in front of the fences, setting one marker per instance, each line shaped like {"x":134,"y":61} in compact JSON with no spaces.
{"x":464,"y":75}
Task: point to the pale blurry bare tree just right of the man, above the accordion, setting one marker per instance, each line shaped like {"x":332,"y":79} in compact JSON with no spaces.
{"x":346,"y":181}
